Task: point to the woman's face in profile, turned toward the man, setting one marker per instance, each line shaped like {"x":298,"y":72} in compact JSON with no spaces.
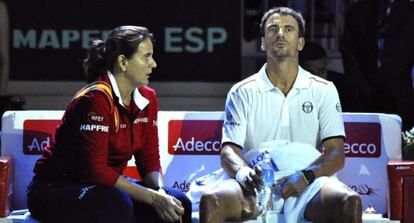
{"x":139,"y":67}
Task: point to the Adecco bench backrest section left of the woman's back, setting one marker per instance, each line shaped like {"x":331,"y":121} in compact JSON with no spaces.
{"x":24,"y":134}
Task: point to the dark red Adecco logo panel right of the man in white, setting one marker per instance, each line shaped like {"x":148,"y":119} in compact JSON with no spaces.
{"x":363,"y":139}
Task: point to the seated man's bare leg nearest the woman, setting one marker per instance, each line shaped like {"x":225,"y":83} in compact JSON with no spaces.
{"x":228,"y":201}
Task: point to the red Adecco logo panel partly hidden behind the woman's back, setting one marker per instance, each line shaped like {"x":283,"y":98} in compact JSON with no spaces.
{"x":37,"y":135}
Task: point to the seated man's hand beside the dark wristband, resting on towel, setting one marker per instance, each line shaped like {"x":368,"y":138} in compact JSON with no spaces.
{"x":292,"y":185}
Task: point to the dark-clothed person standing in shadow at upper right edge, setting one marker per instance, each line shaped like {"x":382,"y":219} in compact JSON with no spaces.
{"x":378,"y":52}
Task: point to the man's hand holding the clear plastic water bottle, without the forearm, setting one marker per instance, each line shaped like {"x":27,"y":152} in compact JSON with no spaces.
{"x":250,"y":179}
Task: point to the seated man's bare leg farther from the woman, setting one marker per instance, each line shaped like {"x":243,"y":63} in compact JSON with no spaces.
{"x":335,"y":202}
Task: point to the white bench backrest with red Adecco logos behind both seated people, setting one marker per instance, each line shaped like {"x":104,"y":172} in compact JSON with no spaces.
{"x":188,"y":148}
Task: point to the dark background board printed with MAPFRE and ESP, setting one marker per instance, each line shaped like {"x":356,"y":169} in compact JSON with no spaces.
{"x":195,"y":40}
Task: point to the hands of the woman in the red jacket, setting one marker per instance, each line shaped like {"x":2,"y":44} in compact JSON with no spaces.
{"x":167,"y":207}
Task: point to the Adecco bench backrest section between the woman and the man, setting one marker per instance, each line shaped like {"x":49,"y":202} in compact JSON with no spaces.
{"x":188,"y":145}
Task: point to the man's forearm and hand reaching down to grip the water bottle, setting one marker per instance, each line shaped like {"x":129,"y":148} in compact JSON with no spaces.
{"x":234,"y":165}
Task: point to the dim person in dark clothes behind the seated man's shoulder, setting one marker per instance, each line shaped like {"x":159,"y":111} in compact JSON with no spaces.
{"x":314,"y":59}
